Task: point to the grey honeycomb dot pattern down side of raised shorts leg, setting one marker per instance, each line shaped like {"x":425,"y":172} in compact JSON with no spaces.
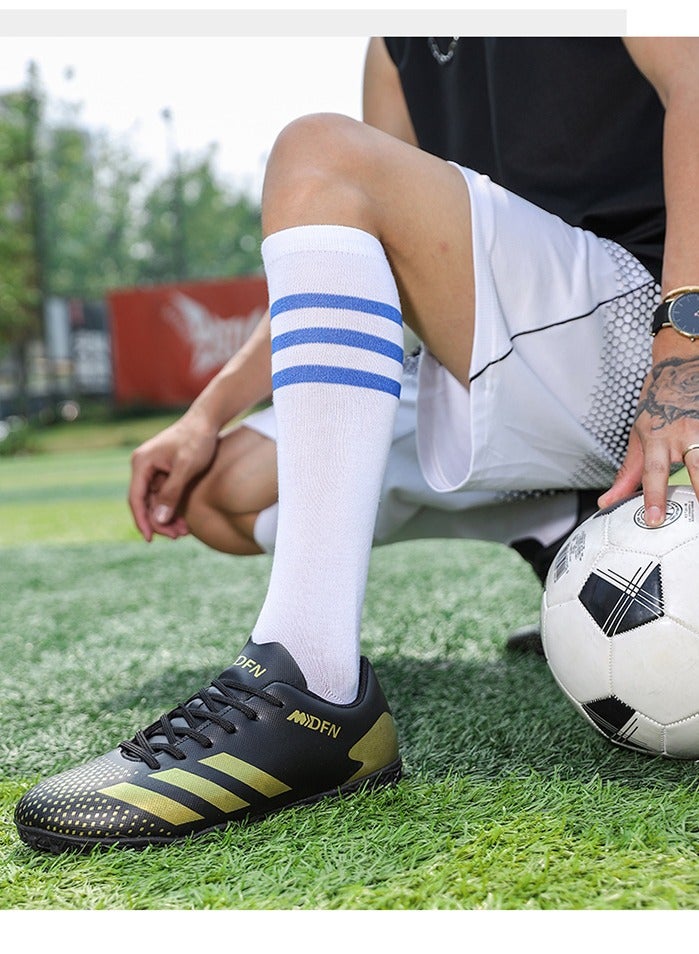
{"x":625,"y":362}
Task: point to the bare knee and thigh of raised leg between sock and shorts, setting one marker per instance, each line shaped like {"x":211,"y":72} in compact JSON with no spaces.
{"x":329,"y":169}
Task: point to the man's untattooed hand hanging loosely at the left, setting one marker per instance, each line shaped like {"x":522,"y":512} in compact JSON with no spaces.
{"x":162,"y":470}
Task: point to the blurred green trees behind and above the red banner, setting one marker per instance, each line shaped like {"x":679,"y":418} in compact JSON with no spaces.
{"x":79,"y":215}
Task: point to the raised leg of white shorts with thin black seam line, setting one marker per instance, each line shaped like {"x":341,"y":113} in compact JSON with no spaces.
{"x":562,"y":347}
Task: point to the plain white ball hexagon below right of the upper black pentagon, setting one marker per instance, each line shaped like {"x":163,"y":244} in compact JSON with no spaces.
{"x":655,"y":669}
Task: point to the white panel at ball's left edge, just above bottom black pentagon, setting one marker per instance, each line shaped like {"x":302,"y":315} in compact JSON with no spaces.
{"x":576,"y":650}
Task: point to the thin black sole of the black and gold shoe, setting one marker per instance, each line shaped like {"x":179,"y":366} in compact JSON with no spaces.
{"x":57,"y":844}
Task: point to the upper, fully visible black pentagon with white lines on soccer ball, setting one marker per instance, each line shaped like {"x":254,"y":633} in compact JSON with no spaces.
{"x":618,"y":603}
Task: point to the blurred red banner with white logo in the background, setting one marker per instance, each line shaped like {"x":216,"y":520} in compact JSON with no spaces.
{"x":168,"y":341}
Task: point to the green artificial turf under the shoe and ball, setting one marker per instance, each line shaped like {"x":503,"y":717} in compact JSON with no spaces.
{"x":509,"y":801}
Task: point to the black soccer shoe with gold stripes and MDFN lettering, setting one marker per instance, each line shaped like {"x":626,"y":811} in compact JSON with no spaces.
{"x":252,"y":743}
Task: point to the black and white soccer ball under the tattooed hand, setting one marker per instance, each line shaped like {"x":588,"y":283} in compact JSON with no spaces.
{"x":620,"y":625}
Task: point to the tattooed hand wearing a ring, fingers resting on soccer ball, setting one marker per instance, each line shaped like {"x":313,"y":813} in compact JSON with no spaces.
{"x":667,"y":422}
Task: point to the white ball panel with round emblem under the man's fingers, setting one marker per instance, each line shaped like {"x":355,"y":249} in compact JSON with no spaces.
{"x":628,"y":529}
